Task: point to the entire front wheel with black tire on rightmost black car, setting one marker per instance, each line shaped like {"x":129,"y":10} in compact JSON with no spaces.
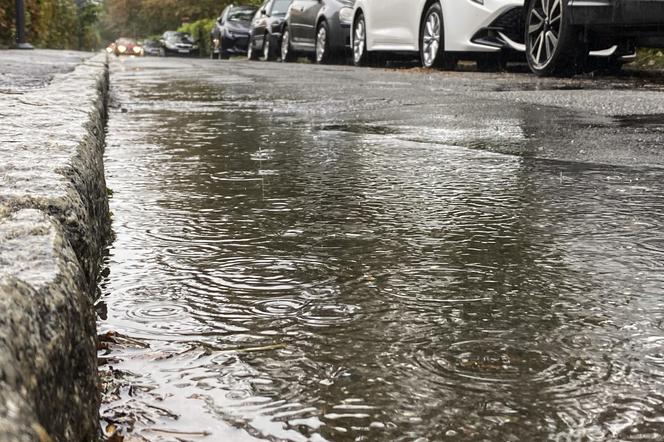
{"x":553,"y":44}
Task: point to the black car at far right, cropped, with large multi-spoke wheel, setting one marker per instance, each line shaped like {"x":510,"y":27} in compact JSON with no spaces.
{"x":561,"y":34}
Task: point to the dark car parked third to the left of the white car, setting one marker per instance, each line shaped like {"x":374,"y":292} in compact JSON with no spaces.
{"x":230,"y":35}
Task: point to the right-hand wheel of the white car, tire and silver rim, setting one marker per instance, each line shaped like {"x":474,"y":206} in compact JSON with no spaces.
{"x":432,"y":43}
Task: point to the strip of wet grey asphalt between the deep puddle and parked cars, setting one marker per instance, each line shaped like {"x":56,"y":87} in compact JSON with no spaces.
{"x":604,"y":120}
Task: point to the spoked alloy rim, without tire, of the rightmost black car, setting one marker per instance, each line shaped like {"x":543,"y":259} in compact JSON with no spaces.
{"x":544,"y":29}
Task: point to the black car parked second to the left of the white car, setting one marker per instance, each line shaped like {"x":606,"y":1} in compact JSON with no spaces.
{"x":265,"y":32}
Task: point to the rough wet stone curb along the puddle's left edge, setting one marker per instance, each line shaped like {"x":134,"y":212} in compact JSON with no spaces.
{"x":53,"y":223}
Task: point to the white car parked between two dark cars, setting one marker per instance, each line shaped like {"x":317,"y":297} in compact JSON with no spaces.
{"x":440,"y":31}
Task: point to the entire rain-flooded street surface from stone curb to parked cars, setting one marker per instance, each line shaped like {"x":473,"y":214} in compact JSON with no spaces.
{"x":329,"y":253}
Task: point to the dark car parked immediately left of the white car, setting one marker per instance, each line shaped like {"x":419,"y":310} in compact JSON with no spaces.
{"x":318,"y":28}
